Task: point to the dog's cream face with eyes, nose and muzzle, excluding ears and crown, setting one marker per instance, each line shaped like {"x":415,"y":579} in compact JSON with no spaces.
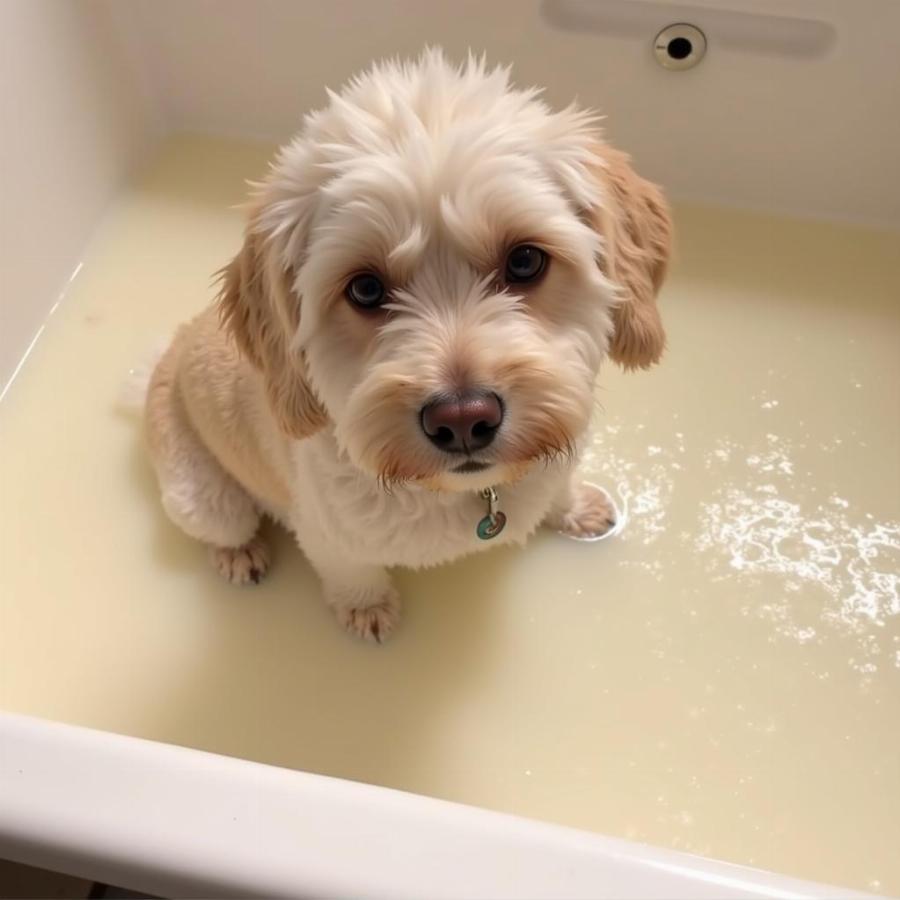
{"x":453,"y":313}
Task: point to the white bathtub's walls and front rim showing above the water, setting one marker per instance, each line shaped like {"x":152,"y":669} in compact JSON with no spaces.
{"x":794,"y":111}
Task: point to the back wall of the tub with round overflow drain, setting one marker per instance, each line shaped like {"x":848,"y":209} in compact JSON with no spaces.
{"x":813,"y":133}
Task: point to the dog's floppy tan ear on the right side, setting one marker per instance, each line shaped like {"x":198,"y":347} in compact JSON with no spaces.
{"x":637,"y":225}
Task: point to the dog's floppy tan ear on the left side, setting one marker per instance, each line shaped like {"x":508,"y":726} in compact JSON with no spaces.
{"x":261,"y":311}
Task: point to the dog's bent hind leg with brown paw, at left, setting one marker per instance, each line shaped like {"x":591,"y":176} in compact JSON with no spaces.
{"x":199,"y":496}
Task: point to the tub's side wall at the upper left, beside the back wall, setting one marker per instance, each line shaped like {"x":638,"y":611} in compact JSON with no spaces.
{"x":76,"y":119}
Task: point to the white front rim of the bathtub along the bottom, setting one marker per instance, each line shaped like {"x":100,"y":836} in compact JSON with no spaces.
{"x":179,"y":822}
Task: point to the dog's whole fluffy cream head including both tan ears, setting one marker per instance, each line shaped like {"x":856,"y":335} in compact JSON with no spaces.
{"x":437,"y":265}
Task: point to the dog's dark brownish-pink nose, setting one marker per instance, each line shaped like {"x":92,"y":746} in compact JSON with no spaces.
{"x":462,"y":423}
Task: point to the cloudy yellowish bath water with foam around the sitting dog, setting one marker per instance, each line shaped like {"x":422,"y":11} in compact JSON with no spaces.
{"x":721,"y":677}
